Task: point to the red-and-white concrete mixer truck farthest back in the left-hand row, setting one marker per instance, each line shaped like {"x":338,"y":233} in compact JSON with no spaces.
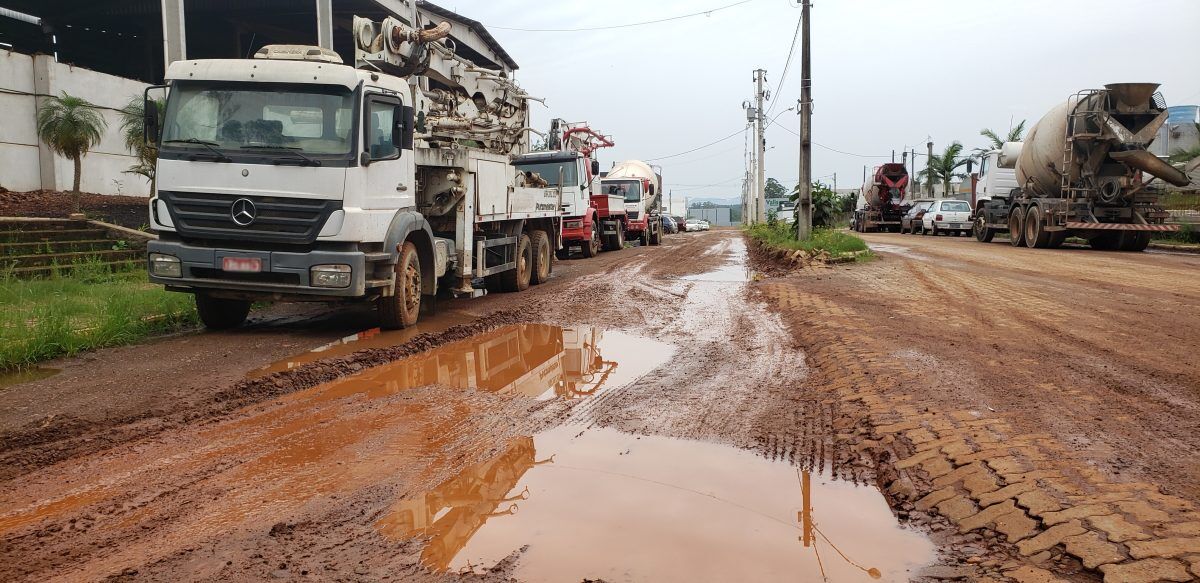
{"x":643,"y":189}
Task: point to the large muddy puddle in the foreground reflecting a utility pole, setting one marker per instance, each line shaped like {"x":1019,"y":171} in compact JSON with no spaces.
{"x":596,"y":503}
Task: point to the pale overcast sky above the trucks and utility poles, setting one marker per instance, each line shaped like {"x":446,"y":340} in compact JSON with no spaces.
{"x":886,"y":75}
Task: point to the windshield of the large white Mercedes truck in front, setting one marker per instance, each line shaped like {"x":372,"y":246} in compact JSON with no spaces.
{"x":239,"y":117}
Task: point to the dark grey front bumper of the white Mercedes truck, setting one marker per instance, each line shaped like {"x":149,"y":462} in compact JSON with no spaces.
{"x":284,"y":273}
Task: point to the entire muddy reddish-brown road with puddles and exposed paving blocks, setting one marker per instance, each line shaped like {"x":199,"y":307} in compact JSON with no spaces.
{"x":653,"y":414}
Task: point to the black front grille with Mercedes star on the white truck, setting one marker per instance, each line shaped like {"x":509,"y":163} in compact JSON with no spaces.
{"x":275,"y":220}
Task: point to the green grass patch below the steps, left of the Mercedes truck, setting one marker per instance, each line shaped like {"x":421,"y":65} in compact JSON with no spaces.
{"x":91,"y":309}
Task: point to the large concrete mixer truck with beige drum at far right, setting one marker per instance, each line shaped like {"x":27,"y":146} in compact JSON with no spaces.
{"x":1084,"y":171}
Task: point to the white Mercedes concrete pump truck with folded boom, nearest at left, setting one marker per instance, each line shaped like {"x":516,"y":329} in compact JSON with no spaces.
{"x":296,"y":177}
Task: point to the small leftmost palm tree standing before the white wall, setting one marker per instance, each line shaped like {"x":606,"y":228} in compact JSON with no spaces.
{"x":71,"y":127}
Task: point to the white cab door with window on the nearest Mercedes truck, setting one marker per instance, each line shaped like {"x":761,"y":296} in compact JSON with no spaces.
{"x":388,"y":167}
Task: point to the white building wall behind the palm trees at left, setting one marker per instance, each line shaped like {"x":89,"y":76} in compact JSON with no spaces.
{"x":26,"y":164}
